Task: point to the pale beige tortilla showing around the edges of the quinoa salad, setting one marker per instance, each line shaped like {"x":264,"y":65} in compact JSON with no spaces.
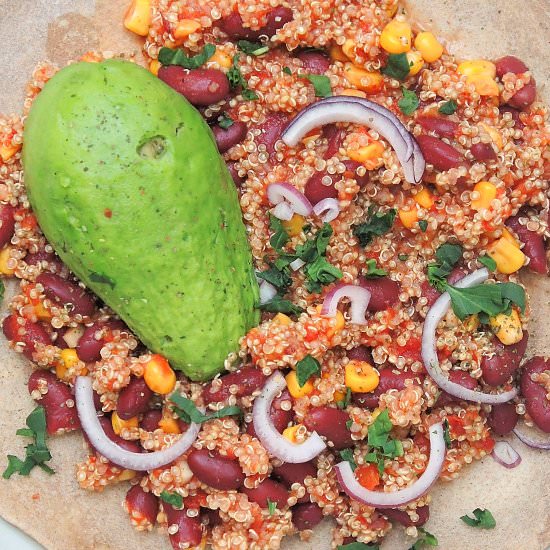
{"x":61,"y":516}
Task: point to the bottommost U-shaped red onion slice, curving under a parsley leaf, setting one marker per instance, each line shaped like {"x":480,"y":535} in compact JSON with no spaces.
{"x":380,"y":499}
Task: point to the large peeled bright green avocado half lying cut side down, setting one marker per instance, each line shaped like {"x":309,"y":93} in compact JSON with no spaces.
{"x":157,"y":234}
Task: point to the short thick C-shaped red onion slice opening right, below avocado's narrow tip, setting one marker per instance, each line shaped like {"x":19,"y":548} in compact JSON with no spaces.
{"x":271,"y":439}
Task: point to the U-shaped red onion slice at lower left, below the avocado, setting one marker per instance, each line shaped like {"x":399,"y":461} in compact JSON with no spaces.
{"x":140,"y":462}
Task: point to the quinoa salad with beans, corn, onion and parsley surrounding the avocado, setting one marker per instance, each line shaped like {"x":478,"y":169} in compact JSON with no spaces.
{"x":391,"y":194}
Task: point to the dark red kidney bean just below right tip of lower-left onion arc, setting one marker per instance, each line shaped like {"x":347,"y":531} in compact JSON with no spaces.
{"x":215,"y":470}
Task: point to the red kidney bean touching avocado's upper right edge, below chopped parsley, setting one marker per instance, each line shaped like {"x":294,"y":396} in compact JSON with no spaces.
{"x":200,"y":87}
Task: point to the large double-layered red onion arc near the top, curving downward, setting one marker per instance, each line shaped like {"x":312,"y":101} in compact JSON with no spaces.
{"x":365,"y":112}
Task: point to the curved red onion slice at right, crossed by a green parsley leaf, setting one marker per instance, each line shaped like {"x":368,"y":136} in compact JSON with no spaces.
{"x":429,"y":349}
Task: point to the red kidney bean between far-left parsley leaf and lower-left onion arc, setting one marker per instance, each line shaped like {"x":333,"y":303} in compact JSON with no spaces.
{"x":59,"y":416}
